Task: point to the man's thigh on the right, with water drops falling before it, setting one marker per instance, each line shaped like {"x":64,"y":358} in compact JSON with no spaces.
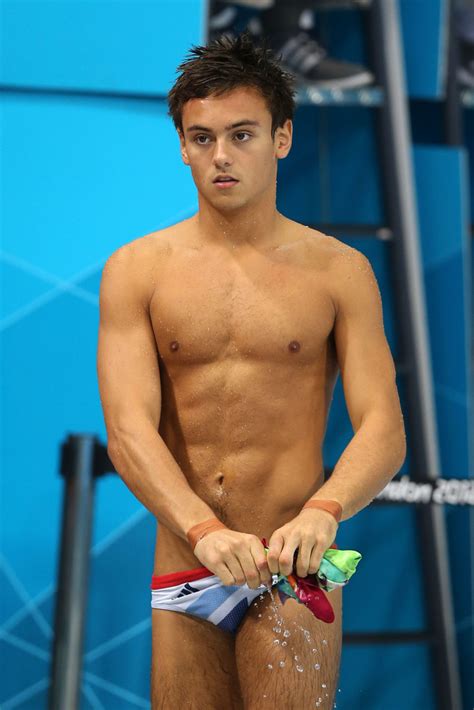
{"x":286,"y":657}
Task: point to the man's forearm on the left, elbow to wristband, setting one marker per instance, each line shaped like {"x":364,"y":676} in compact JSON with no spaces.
{"x":149,"y":470}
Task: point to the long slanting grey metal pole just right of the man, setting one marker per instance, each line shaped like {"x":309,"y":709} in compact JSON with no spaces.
{"x":401,"y":204}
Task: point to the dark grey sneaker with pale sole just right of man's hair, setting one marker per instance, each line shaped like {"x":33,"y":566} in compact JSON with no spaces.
{"x":307,"y":60}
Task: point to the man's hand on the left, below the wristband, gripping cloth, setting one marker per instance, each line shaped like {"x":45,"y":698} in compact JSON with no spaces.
{"x":235,"y":557}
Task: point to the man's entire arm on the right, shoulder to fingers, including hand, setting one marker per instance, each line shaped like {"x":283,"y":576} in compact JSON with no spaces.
{"x":377,"y":449}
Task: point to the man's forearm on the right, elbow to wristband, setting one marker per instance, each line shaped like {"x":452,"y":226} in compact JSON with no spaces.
{"x":370,"y":460}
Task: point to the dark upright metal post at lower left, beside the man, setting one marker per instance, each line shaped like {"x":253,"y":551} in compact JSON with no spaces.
{"x":78,"y":469}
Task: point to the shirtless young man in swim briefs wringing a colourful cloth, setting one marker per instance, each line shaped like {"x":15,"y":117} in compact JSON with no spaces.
{"x":220,"y":343}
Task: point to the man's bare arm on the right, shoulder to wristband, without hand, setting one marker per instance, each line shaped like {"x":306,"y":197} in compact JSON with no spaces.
{"x":377,"y":450}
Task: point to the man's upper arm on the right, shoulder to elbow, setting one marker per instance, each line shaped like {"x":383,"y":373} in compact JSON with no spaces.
{"x":363,"y":353}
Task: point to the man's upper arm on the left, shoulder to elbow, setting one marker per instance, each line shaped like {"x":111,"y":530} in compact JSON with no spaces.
{"x":127,"y":356}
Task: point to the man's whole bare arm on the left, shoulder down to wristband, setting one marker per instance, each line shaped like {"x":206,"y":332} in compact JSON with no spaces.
{"x":130,"y":391}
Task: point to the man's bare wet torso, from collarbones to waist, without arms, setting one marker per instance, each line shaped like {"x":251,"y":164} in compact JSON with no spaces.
{"x":248,"y":367}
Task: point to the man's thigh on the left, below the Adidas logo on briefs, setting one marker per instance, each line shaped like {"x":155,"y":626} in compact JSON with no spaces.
{"x":193,"y":664}
